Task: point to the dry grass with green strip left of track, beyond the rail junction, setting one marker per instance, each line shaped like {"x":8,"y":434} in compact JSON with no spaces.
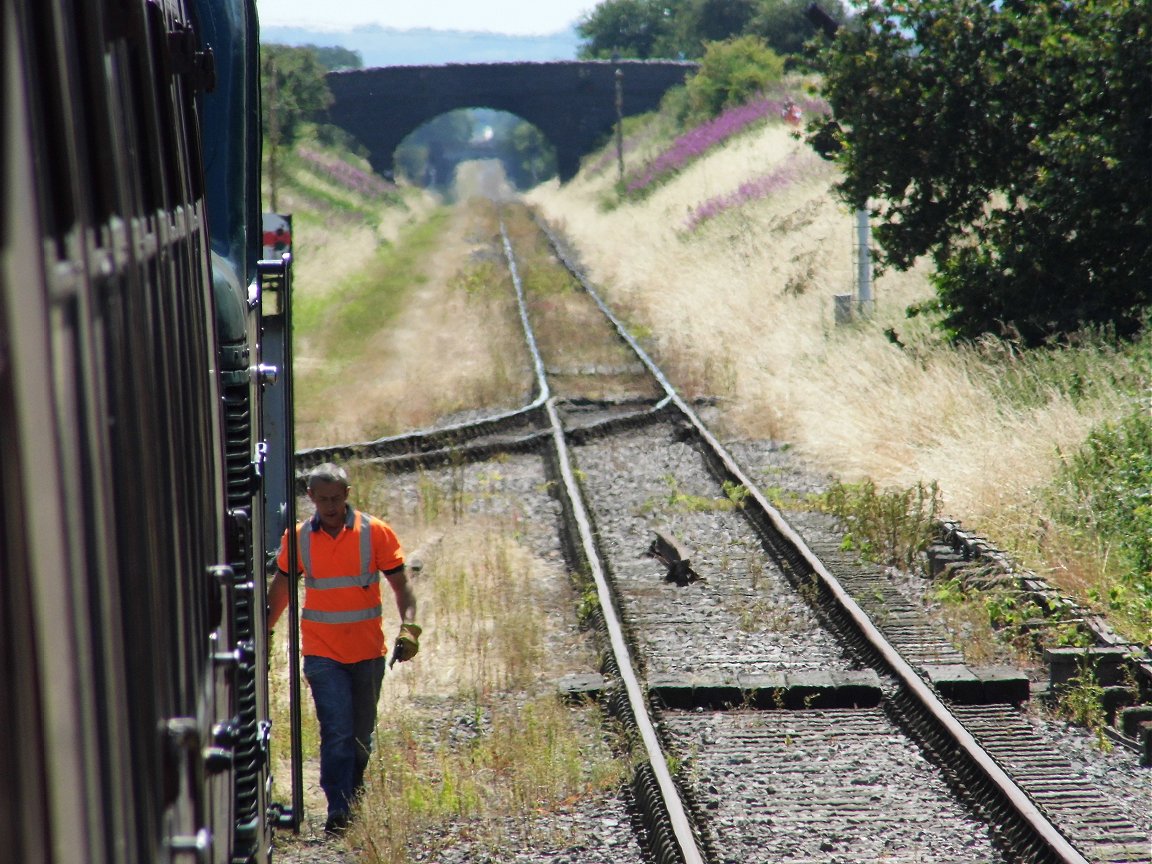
{"x":428,"y":337}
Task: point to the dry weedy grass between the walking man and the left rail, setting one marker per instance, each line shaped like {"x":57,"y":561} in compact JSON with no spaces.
{"x":472,"y":740}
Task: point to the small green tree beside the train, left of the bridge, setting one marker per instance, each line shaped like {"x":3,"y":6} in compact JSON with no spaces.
{"x":294,"y":90}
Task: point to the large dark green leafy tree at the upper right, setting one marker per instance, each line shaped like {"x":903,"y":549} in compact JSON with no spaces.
{"x":1012,"y":142}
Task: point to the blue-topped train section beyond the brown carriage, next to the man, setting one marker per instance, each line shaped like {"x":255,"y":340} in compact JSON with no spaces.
{"x":232,"y":161}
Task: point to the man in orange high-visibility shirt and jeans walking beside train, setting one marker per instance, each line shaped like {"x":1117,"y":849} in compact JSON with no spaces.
{"x":343,"y":554}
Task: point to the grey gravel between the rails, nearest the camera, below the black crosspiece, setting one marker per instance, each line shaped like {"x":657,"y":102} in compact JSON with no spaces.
{"x":836,"y":786}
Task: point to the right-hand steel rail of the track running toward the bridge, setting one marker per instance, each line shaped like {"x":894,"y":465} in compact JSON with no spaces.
{"x":929,"y":700}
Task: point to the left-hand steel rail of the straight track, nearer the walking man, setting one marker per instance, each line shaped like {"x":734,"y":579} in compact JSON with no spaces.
{"x":678,"y":815}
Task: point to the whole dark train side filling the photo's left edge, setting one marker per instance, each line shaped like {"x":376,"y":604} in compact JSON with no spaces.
{"x":132,"y":636}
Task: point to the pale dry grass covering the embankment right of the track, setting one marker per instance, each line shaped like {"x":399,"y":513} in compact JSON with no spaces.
{"x":742,"y":309}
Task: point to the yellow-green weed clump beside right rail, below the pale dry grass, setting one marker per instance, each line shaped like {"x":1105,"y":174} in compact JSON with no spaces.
{"x":889,"y":527}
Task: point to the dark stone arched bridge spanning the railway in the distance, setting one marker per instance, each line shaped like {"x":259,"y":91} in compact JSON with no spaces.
{"x":572,"y":103}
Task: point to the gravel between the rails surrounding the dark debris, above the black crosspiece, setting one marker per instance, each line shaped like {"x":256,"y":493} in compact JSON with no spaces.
{"x":742,"y":617}
